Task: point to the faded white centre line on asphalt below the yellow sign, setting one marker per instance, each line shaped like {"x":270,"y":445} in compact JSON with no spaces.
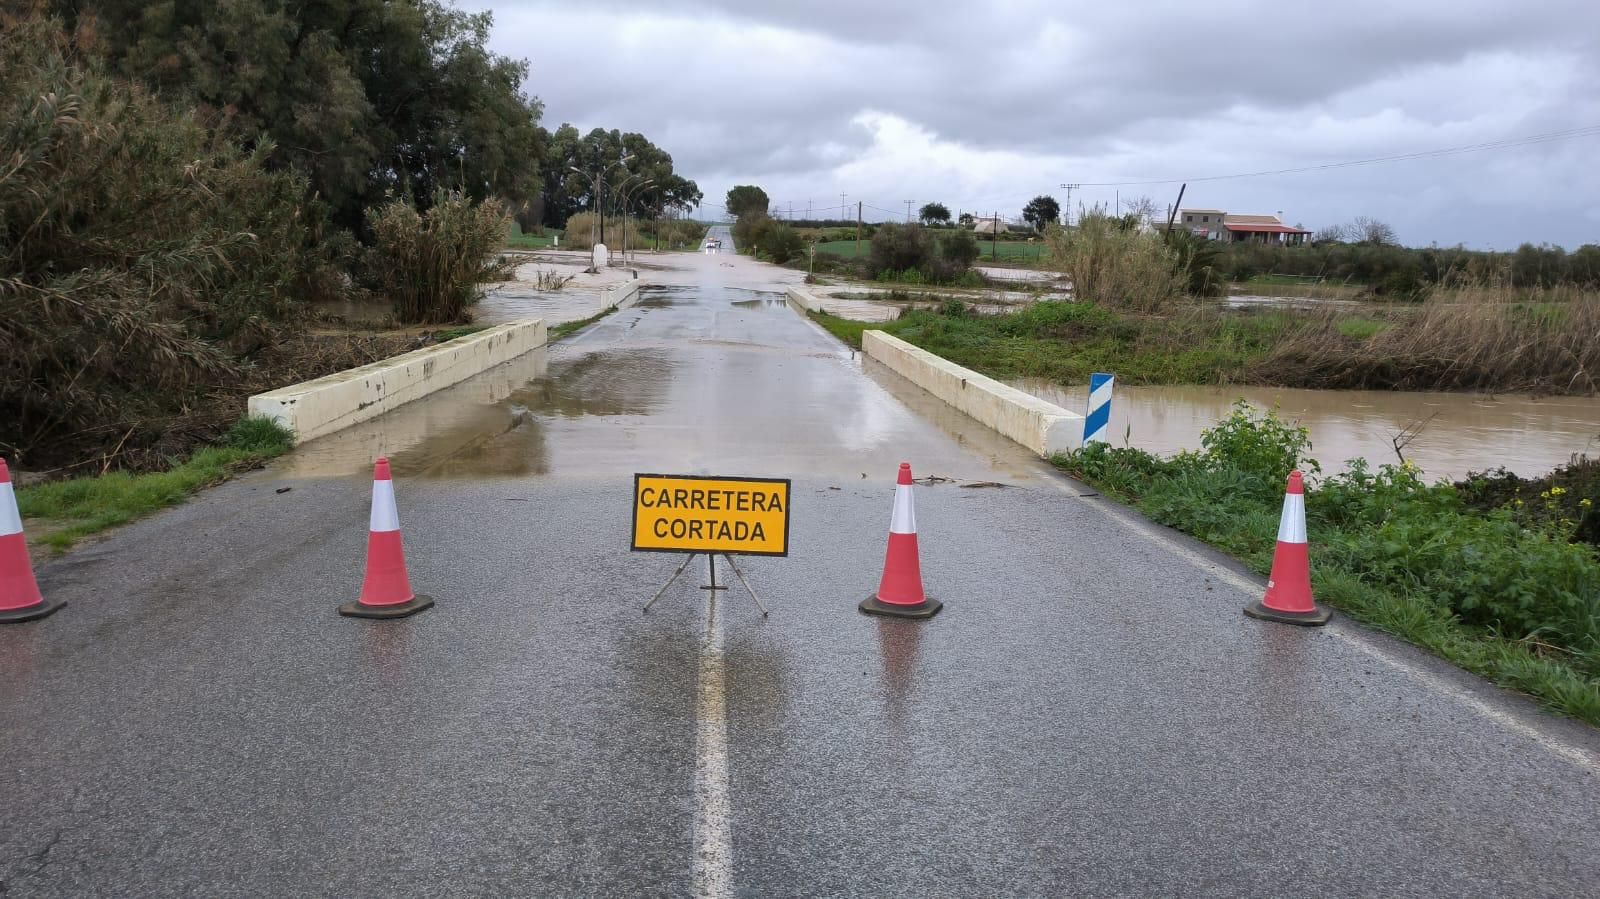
{"x":713,"y":869}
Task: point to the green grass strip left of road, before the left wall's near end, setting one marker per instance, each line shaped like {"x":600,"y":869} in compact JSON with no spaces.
{"x":79,"y":508}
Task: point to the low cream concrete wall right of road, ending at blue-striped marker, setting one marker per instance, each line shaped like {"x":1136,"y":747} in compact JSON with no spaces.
{"x":1044,"y":428}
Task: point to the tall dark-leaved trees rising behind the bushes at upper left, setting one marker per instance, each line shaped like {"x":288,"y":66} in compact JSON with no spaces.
{"x":366,"y":97}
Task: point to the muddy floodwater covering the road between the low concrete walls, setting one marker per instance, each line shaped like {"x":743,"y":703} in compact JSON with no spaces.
{"x":727,"y":382}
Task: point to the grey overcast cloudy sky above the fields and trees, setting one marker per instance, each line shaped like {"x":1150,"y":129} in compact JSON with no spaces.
{"x":983,"y":105}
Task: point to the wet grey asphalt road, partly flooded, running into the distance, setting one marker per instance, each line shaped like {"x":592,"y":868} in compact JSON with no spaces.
{"x":1092,"y":716}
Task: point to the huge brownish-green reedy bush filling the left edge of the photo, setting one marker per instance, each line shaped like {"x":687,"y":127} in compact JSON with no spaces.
{"x":143,"y":257}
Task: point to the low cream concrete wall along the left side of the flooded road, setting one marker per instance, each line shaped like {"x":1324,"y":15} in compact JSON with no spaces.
{"x":340,"y":401}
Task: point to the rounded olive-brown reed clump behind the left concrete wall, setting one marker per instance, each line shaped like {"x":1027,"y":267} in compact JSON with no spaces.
{"x":431,"y":265}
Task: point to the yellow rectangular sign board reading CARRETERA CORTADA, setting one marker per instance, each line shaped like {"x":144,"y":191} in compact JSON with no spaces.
{"x":719,"y":516}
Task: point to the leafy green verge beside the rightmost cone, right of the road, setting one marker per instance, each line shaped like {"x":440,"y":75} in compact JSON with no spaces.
{"x":1490,"y":591}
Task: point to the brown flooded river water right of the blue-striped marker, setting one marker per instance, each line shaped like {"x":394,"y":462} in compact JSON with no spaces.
{"x":1458,"y":433}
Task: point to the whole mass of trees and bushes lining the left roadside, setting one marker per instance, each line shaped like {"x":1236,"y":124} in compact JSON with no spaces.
{"x":185,"y":180}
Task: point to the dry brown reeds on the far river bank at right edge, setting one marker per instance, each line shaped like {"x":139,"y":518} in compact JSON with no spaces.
{"x":1474,"y":338}
